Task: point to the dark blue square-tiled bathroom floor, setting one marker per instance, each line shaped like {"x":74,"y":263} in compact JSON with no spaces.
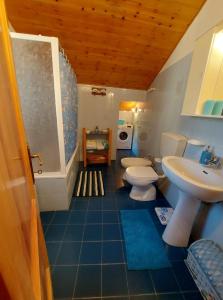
{"x":87,"y":252}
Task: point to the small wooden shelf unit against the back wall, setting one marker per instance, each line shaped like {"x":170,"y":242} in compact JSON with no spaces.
{"x":96,"y":156}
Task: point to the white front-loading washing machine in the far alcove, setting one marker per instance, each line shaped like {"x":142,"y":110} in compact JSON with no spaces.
{"x":124,"y":137}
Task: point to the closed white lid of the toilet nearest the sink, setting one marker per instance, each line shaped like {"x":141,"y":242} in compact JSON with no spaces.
{"x":142,"y":173}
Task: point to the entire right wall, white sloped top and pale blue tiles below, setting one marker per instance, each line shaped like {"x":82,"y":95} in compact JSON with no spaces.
{"x":166,"y":103}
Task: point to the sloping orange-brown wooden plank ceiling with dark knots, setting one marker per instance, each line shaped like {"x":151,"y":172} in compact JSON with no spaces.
{"x":120,"y":43}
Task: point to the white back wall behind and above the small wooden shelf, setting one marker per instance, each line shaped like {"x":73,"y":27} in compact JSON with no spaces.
{"x":102,"y":111}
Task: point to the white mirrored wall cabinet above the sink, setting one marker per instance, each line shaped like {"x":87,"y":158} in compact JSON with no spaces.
{"x":204,"y":94}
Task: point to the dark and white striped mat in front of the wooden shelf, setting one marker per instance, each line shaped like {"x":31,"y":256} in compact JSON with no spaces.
{"x":89,"y":184}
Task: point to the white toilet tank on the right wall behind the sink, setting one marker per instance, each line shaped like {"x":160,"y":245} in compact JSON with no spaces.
{"x":172,"y":144}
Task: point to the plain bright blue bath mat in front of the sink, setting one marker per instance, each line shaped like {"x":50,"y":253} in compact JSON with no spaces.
{"x":144,"y":246}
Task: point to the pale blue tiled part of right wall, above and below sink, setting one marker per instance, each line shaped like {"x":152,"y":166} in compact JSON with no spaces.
{"x":166,"y":103}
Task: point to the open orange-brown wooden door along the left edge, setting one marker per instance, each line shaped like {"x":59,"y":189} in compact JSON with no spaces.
{"x":24,"y":268}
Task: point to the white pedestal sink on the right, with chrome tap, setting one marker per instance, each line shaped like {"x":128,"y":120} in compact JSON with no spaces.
{"x":196,"y":184}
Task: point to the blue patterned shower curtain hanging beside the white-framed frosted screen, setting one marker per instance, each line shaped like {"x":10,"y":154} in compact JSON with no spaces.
{"x":69,"y":98}
